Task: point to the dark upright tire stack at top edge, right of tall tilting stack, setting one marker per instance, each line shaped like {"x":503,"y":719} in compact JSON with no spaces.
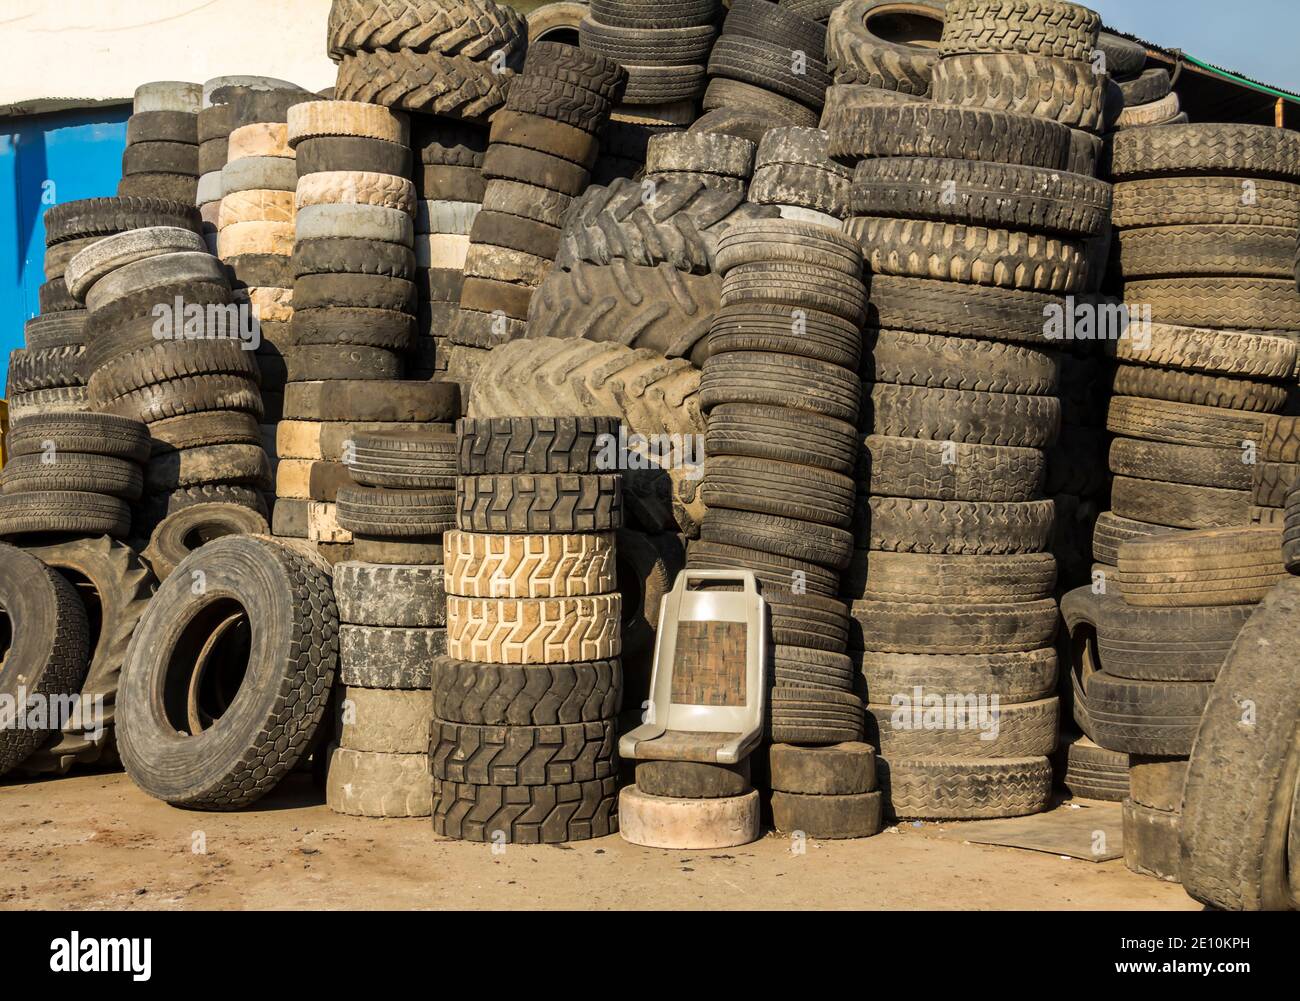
{"x":664,"y":47}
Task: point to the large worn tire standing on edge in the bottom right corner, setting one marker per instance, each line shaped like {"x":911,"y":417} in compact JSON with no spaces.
{"x":1234,"y":843}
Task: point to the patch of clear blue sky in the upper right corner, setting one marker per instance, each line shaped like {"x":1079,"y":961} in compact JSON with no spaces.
{"x":1255,"y":38}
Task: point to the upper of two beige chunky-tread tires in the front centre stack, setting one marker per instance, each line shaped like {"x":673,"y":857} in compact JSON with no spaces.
{"x":488,"y":566}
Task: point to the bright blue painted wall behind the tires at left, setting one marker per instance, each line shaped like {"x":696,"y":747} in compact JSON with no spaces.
{"x":46,"y":159}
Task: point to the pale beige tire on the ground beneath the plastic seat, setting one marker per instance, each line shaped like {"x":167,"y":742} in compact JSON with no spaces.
{"x":688,"y":825}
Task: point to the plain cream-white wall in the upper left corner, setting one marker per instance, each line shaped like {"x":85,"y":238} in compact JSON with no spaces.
{"x":66,"y":53}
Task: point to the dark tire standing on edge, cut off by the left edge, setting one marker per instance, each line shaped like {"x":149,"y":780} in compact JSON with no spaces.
{"x":49,"y":651}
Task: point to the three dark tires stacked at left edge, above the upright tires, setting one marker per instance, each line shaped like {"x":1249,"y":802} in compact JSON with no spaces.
{"x":75,"y":474}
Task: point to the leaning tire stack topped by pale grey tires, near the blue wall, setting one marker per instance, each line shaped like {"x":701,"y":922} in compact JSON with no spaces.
{"x":168,"y":346}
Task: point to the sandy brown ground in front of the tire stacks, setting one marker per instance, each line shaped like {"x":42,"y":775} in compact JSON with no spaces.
{"x":98,"y":843}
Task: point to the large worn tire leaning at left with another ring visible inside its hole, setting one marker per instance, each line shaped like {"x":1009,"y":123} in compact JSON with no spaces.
{"x":229,"y":674}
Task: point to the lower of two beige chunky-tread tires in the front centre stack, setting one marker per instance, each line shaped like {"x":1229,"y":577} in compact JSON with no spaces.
{"x":535,"y":631}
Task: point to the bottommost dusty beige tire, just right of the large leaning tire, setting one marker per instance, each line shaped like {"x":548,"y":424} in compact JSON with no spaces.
{"x":371,"y":785}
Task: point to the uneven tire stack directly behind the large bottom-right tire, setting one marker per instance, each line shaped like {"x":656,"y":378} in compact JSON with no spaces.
{"x":1149,"y":651}
